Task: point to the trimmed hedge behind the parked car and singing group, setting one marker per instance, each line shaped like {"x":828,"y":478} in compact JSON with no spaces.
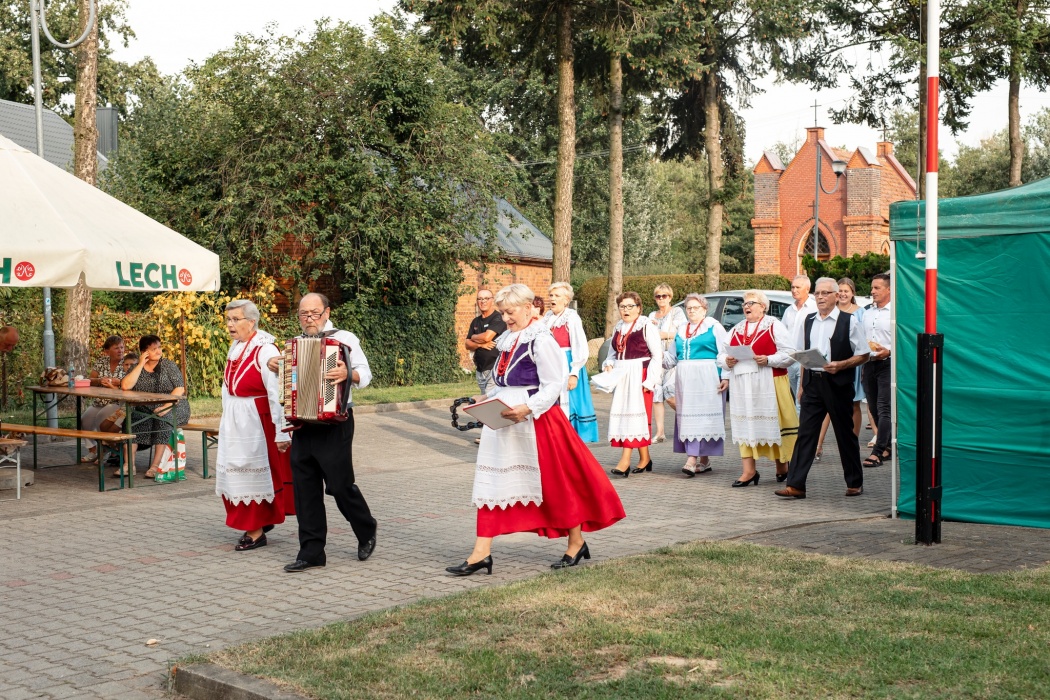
{"x":592,"y":295}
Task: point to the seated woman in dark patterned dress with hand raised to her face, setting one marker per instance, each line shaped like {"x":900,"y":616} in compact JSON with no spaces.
{"x":156,"y":375}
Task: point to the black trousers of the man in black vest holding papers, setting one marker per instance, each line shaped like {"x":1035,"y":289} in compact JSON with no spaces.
{"x":823,"y":397}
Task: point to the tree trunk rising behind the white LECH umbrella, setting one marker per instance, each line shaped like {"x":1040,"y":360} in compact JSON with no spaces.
{"x":77,"y":324}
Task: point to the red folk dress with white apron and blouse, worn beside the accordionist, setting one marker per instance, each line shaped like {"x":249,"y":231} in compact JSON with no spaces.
{"x":251,"y":500}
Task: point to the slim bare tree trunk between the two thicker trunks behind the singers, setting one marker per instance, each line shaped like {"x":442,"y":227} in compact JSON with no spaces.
{"x":616,"y":192}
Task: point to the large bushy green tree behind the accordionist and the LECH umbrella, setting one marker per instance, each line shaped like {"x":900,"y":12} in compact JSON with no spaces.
{"x":338,"y":161}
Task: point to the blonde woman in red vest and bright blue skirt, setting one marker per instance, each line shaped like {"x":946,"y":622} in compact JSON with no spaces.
{"x":569,"y":331}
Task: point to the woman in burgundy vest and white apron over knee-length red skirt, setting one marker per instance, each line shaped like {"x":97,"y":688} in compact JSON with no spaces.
{"x":636,"y":345}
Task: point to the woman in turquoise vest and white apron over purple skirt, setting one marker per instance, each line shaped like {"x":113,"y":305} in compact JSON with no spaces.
{"x":700,"y":425}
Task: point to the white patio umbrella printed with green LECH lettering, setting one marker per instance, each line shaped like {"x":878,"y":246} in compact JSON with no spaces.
{"x":54,"y":227}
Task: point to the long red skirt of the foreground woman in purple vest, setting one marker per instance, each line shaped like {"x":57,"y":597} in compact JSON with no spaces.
{"x":577,"y":493}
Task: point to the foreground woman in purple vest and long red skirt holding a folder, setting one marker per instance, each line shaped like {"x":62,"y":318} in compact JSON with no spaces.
{"x":535,"y":476}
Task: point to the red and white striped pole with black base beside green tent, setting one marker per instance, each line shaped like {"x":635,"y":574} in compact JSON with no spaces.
{"x":931,"y":343}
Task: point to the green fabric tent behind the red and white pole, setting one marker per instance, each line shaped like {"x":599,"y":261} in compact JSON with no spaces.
{"x":994,"y":290}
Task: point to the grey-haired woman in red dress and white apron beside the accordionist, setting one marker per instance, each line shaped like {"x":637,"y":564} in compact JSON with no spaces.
{"x":254,"y":473}
